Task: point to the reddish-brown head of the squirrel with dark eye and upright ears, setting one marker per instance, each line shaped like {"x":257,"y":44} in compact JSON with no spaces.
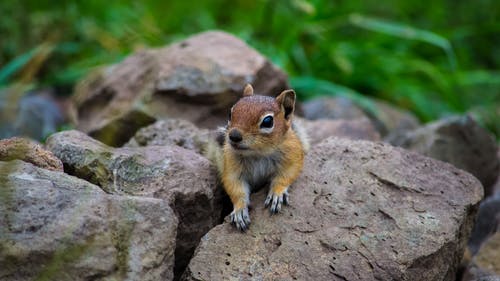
{"x":257,"y":124}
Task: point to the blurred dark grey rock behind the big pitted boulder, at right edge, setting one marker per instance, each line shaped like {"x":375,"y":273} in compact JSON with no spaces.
{"x":460,"y":141}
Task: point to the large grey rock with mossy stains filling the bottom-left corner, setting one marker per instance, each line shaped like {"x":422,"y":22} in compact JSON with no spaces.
{"x":57,"y":227}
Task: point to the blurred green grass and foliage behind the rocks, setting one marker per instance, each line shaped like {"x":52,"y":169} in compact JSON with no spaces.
{"x":435,"y":58}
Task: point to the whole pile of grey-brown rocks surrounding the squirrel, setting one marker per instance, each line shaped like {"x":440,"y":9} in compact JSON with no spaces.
{"x":130,"y":195}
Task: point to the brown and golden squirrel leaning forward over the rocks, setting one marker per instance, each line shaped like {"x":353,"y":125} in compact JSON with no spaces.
{"x":261,"y":145}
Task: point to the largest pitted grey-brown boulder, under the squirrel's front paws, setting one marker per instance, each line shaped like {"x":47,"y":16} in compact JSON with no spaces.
{"x":359,"y":211}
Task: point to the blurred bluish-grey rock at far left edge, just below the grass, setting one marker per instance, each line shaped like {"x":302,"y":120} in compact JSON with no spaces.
{"x":33,"y":114}
